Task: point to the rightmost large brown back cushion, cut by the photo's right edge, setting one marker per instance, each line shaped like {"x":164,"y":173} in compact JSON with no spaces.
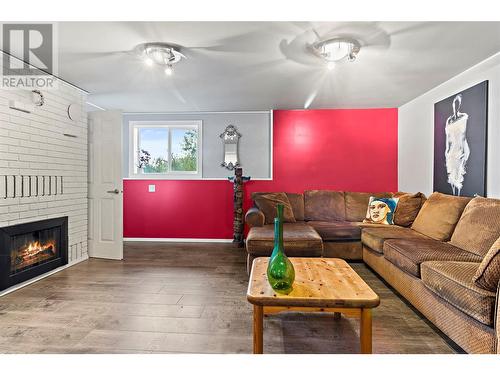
{"x":479,"y":226}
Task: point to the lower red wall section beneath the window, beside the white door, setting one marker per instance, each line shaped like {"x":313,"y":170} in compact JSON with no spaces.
{"x":178,"y":209}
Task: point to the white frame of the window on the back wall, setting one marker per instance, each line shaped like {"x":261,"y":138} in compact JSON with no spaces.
{"x":170,"y":175}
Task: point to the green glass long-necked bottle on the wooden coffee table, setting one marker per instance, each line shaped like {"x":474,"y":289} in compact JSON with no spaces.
{"x":280,"y":271}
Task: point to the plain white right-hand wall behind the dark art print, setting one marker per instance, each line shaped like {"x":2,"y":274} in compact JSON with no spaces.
{"x":416,"y":129}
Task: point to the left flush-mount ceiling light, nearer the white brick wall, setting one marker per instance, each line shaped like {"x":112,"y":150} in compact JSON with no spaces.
{"x":162,"y":54}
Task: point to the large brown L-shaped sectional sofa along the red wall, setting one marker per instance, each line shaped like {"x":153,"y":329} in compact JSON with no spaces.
{"x":431,"y":261}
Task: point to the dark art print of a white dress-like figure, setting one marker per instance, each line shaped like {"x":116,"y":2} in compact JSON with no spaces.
{"x":460,"y":138}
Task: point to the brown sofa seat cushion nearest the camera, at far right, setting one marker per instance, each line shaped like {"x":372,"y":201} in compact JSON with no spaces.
{"x":452,"y":281}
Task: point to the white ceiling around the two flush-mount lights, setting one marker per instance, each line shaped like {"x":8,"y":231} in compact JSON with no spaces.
{"x":265,"y":65}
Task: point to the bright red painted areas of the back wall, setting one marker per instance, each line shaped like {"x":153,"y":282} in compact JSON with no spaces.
{"x":342,"y":149}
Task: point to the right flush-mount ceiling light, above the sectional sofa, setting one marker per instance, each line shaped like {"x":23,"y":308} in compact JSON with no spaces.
{"x":336,"y":50}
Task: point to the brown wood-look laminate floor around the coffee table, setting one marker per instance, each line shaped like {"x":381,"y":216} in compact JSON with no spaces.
{"x":187,"y":298}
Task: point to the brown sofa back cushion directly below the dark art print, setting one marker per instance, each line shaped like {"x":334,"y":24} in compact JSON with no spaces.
{"x":439,"y":215}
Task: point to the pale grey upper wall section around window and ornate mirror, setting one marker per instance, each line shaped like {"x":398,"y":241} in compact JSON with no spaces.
{"x":254,"y":146}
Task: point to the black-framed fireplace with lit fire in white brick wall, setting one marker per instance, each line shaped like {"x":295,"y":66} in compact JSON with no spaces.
{"x":31,"y":249}
